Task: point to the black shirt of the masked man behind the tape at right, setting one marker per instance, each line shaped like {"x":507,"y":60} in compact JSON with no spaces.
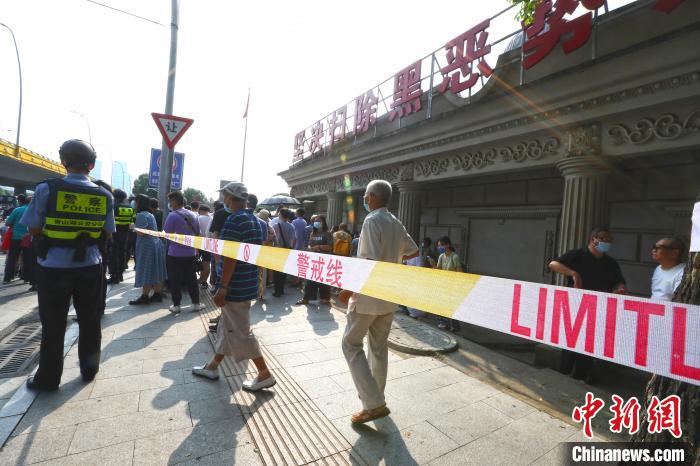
{"x":597,"y":274}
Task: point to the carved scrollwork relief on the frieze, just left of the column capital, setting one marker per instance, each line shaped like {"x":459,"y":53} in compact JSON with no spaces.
{"x":527,"y":150}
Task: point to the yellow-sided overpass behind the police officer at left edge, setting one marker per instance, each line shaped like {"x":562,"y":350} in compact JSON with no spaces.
{"x":24,"y":170}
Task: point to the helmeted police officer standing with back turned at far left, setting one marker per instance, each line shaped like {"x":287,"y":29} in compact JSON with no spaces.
{"x":67,"y":218}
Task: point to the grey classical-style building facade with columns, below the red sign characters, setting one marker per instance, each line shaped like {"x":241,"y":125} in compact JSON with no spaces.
{"x":523,"y":170}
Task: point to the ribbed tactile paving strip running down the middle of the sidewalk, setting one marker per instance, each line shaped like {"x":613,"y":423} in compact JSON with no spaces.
{"x":286,"y":425}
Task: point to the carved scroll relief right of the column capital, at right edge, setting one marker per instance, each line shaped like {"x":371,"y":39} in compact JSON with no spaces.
{"x":667,"y":127}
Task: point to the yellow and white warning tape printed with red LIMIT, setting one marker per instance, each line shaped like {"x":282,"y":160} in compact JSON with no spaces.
{"x":656,"y":336}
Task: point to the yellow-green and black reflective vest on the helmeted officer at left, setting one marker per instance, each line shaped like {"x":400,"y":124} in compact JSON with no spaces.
{"x":75,"y":215}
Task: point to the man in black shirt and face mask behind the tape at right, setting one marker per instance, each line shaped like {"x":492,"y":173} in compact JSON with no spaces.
{"x":589,"y":268}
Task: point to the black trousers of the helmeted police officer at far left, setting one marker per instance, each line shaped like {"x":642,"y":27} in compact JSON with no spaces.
{"x":56,"y":288}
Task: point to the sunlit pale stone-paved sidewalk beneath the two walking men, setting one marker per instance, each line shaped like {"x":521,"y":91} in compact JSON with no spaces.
{"x":146,"y":407}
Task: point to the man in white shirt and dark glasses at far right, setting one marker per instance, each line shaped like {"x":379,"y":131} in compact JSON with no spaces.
{"x":668,"y":253}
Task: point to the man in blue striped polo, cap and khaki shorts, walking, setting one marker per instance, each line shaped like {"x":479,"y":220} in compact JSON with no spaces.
{"x":239,"y":286}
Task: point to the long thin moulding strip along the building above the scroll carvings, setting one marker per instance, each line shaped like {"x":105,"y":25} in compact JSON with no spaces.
{"x":585,"y":105}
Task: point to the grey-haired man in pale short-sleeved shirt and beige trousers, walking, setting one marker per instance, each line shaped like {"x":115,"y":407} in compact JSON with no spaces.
{"x":383,"y":238}
